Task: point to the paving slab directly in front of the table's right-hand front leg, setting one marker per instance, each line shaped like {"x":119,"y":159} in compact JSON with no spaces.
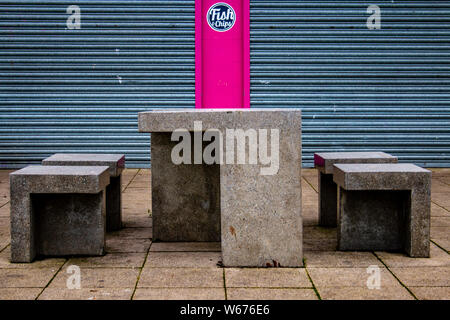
{"x":266,"y":278}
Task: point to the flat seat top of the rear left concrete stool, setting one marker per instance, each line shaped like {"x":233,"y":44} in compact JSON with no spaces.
{"x":115,"y":162}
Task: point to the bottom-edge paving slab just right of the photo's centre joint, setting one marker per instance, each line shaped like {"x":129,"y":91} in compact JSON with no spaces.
{"x":270,"y":294}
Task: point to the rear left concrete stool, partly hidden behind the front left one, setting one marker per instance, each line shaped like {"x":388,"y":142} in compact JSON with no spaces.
{"x":116,"y":163}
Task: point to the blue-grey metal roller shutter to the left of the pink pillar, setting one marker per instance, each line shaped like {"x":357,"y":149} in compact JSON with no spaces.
{"x":79,"y":90}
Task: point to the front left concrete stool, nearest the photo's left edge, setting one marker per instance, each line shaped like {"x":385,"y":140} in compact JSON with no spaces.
{"x":57,"y":211}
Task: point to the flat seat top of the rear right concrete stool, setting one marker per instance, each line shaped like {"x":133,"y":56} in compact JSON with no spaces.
{"x":324,"y":161}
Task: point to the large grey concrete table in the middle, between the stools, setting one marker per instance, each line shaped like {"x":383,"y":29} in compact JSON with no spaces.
{"x":255,"y":213}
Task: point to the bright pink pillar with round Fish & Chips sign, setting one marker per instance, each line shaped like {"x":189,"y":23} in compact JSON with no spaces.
{"x":222,"y":54}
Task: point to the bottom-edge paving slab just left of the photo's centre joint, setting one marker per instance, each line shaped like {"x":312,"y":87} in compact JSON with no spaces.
{"x":179,"y":294}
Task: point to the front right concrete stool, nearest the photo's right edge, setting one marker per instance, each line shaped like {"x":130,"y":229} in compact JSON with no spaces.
{"x":384,"y":207}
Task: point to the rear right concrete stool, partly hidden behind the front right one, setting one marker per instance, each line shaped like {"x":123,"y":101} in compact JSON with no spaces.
{"x":324,"y":162}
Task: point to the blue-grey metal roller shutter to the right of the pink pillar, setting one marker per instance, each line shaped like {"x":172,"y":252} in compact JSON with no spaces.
{"x":359,"y":89}
